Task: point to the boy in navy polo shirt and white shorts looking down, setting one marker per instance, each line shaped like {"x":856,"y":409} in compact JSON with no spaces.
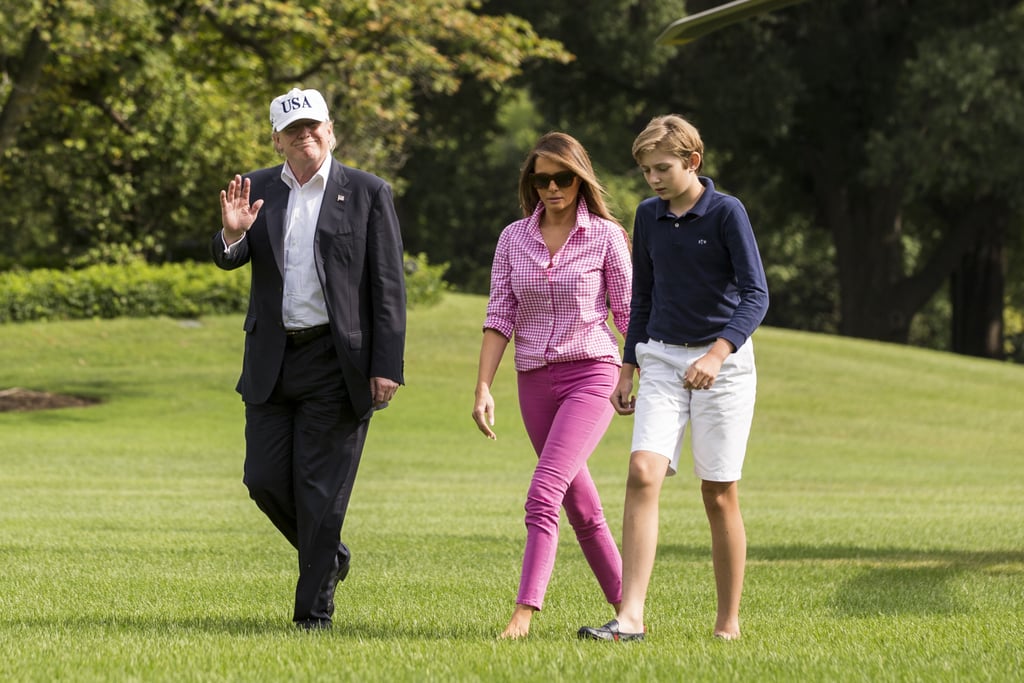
{"x":699,"y":294}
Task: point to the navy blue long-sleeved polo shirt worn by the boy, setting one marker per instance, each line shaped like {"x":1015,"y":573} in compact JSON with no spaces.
{"x":697,"y":277}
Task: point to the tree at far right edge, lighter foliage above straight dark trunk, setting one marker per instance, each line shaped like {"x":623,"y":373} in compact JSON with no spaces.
{"x":963,"y":129}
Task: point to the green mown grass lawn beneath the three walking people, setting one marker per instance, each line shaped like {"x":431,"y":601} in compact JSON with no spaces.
{"x":884,"y":499}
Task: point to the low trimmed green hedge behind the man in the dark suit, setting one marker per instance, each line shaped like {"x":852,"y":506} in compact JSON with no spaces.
{"x":176,"y":290}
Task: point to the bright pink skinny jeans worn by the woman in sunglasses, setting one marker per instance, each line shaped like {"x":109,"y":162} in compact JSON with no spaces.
{"x":566,"y":410}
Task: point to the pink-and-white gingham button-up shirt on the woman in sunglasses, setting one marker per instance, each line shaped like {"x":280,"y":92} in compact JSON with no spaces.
{"x":558,"y":307}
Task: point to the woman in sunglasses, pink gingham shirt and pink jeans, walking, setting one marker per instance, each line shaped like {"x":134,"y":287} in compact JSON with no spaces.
{"x":557,"y":275}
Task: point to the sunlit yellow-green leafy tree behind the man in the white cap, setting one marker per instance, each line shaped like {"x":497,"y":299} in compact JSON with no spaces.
{"x":146,"y":107}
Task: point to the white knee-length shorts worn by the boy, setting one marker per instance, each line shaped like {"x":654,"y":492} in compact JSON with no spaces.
{"x":720,"y":417}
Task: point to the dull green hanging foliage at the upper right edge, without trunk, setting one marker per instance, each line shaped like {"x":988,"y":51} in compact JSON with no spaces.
{"x":963,"y":75}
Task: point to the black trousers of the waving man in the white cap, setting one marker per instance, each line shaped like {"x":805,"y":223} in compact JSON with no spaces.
{"x":303,"y":452}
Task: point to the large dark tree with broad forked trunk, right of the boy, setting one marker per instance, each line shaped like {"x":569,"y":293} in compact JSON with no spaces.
{"x":861,"y":108}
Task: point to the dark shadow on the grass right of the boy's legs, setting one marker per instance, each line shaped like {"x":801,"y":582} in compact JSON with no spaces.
{"x":887,"y":581}
